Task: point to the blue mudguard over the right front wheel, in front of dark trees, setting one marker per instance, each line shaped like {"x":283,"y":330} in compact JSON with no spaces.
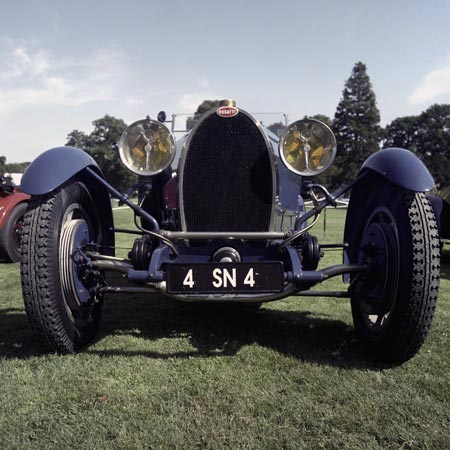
{"x":402,"y":168}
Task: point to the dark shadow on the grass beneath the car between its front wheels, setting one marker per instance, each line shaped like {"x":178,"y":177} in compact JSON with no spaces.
{"x":213,"y":330}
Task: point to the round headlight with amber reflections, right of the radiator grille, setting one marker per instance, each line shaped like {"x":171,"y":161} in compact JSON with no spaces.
{"x":307,"y":147}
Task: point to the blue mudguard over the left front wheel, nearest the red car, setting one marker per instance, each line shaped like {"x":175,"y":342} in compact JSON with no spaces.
{"x":53,"y":168}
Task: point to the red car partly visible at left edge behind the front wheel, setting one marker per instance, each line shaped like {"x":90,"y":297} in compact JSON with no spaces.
{"x":13,"y":205}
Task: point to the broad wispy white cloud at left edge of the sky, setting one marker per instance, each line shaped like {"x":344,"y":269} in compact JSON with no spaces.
{"x":32,"y":76}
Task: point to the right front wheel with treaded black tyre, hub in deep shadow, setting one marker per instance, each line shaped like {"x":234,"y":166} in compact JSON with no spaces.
{"x":394,"y":232}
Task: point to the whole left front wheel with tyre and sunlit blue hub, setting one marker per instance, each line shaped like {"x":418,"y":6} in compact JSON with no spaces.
{"x":60,"y":298}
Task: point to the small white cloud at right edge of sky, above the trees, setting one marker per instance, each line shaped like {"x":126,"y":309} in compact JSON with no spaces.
{"x":435,"y":84}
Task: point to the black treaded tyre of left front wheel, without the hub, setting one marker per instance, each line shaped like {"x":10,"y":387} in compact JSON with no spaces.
{"x":39,"y":274}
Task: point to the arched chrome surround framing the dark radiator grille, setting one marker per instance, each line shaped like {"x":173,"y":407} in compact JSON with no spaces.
{"x":272,"y":155}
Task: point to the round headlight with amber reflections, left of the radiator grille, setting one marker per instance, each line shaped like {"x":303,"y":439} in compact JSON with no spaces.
{"x":147,"y":147}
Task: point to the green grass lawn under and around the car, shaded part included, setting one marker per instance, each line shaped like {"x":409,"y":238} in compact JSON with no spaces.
{"x":163,"y":374}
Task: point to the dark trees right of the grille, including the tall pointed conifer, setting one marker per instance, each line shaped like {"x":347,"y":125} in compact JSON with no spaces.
{"x":356,"y":125}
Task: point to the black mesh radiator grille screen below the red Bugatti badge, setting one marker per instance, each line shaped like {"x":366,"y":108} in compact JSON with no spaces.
{"x":227,"y":180}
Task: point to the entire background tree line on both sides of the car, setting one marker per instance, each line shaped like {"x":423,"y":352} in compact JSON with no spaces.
{"x":356,"y":125}
